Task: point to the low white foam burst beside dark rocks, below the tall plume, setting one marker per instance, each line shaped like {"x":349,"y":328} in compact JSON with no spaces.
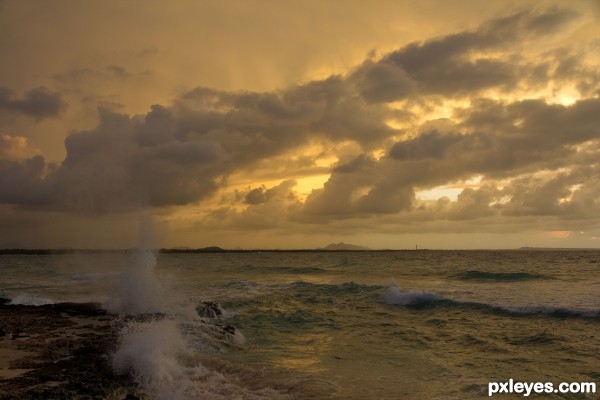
{"x":166,"y":366}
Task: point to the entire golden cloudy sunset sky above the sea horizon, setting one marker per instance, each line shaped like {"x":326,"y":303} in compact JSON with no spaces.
{"x":271,"y":124}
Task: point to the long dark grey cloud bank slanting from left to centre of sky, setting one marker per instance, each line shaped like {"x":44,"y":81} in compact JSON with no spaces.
{"x":181,"y":154}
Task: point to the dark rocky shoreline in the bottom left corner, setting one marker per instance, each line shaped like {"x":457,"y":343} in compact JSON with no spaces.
{"x":59,"y":351}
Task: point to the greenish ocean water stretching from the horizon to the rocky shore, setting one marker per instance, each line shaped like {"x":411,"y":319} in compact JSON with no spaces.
{"x":359,"y":325}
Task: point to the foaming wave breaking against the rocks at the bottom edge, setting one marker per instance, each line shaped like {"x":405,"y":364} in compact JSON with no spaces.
{"x":171,"y":359}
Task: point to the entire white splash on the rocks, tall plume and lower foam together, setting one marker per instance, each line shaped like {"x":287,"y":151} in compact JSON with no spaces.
{"x":166,"y":354}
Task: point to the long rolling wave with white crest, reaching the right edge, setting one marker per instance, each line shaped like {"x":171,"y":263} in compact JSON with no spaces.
{"x":421,"y":300}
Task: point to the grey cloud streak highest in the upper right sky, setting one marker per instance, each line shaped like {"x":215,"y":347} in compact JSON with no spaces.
{"x":458,"y":64}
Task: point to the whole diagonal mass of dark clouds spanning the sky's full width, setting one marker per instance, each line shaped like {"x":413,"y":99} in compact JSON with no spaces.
{"x":184,"y":152}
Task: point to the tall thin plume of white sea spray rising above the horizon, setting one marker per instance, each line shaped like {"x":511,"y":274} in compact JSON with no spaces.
{"x":137,"y":291}
